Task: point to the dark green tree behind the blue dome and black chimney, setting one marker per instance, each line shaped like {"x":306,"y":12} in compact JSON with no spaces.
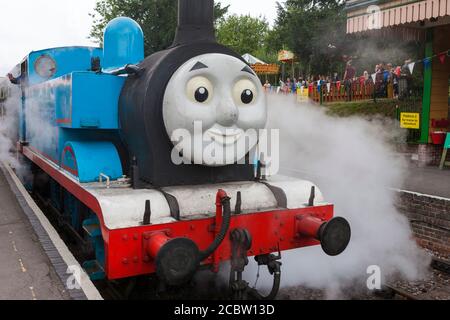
{"x":158,"y":19}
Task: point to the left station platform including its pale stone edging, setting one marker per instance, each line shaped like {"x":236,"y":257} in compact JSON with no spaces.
{"x":34,"y":261}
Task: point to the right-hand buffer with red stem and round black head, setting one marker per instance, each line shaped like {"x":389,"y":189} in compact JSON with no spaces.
{"x":333,"y":235}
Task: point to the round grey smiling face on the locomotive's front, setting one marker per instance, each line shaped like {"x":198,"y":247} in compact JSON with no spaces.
{"x":219,"y":101}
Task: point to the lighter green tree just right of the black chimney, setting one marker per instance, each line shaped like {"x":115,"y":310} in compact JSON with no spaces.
{"x":243,"y":34}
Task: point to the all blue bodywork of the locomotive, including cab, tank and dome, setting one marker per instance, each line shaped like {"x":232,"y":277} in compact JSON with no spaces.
{"x":65,"y":103}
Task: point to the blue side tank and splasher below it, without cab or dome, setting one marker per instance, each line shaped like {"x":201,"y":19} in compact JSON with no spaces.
{"x":81,"y":107}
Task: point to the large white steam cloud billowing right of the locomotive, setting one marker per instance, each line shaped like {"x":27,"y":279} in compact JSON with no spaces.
{"x":354,"y":165}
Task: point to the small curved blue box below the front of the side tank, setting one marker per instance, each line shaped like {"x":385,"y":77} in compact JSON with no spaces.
{"x":92,"y":159}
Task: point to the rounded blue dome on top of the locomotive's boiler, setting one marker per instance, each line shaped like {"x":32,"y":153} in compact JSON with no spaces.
{"x":123,"y":43}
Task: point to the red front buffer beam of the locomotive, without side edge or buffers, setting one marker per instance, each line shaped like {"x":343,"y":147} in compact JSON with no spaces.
{"x":269,"y":231}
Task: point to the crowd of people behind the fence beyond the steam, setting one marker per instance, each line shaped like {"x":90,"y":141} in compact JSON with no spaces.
{"x":387,"y":80}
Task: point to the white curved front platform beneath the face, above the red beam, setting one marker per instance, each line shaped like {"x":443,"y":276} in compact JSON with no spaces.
{"x":123,"y":207}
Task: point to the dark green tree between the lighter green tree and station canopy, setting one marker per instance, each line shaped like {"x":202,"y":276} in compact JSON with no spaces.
{"x":314,"y":30}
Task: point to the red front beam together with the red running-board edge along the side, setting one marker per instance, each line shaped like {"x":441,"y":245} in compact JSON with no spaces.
{"x":127,"y":251}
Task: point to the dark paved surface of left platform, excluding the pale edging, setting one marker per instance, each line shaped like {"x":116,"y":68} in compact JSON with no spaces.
{"x":25,"y":270}
